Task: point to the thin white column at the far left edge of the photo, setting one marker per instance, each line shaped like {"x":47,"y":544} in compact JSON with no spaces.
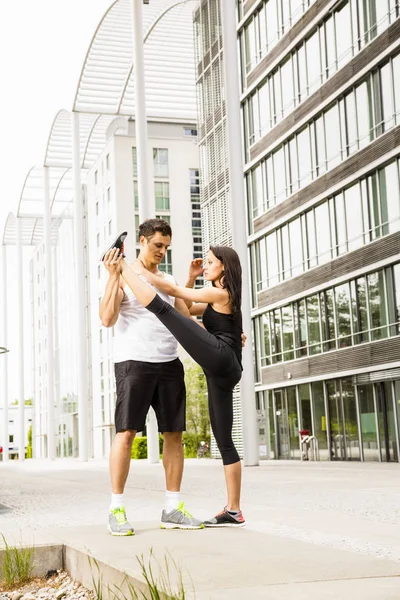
{"x":4,"y":357}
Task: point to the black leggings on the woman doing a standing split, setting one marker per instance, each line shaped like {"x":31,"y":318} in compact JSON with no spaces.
{"x":220,"y":365}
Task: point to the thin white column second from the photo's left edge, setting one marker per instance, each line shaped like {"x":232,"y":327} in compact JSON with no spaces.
{"x":20,"y":309}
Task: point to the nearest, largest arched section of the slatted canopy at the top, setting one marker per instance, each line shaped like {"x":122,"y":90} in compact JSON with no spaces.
{"x":106,"y":84}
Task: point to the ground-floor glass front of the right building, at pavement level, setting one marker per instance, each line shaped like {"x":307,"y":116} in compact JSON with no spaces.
{"x":342,"y":420}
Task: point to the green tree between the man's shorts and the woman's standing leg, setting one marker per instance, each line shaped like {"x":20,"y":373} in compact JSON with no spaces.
{"x":197,"y":415}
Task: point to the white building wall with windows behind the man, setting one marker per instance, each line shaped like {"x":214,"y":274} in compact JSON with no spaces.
{"x":111,"y":209}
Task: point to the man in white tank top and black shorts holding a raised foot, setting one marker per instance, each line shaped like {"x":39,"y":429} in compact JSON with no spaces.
{"x":148,"y":373}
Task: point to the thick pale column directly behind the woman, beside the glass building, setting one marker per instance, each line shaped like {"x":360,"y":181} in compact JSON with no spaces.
{"x":239,"y":237}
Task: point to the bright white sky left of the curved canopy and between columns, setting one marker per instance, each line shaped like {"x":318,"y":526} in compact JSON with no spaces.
{"x":43,"y":44}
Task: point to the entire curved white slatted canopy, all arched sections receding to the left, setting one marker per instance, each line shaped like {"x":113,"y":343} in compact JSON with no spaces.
{"x":105,"y":93}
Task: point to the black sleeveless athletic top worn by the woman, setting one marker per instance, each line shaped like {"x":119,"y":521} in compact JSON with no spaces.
{"x":227,"y":328}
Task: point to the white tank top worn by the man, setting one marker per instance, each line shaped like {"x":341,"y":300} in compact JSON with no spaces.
{"x":139,"y":335}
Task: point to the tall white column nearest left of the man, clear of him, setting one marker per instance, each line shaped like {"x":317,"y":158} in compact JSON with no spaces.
{"x":81,"y":354}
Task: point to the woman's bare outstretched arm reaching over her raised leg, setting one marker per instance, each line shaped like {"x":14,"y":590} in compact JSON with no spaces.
{"x":209,"y":295}
